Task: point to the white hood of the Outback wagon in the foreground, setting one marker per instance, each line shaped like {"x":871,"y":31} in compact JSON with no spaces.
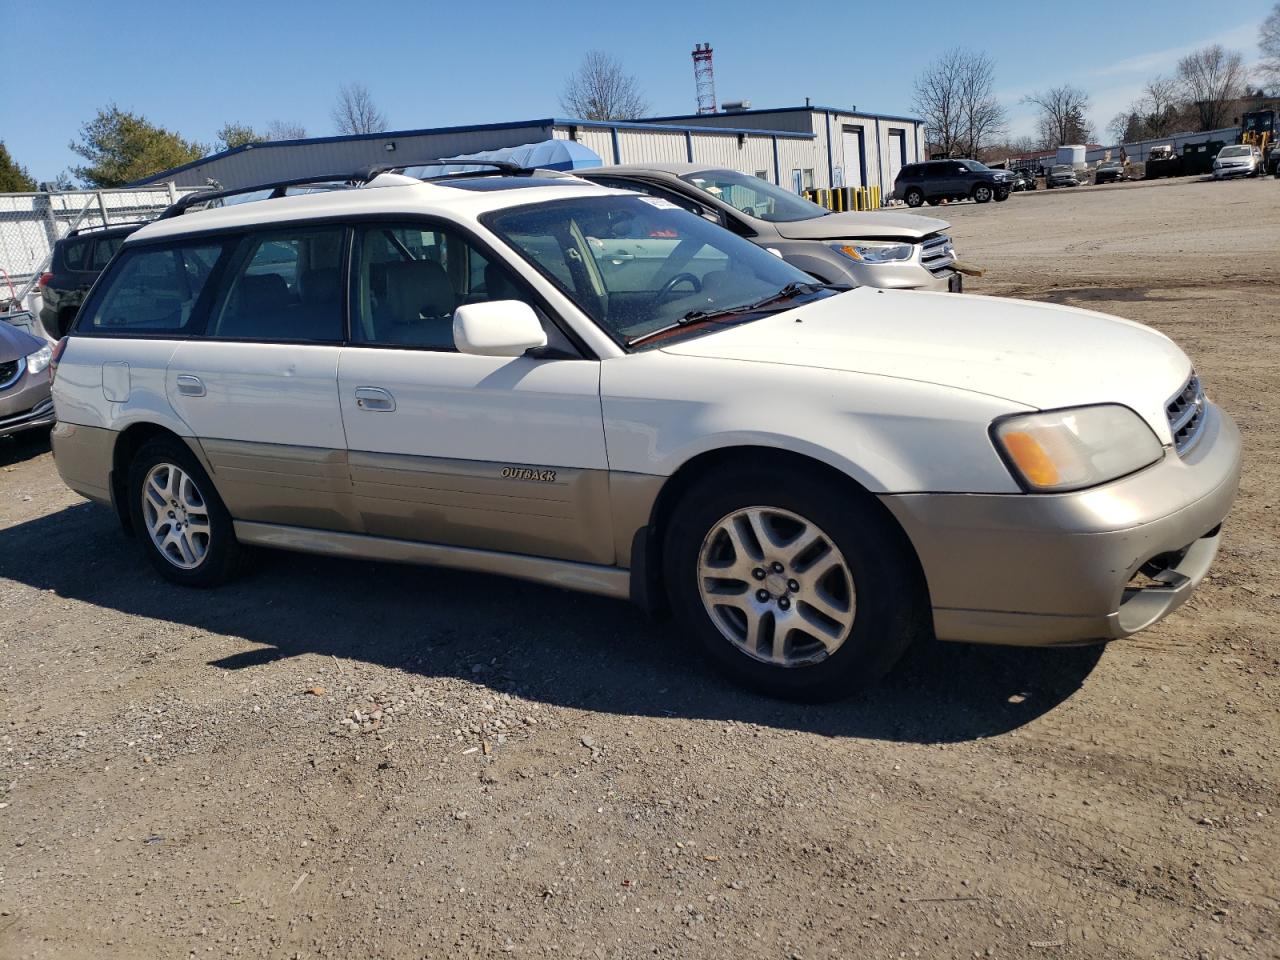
{"x":1035,"y":355}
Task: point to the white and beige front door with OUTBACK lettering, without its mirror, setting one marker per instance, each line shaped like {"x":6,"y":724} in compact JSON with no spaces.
{"x":499,"y":454}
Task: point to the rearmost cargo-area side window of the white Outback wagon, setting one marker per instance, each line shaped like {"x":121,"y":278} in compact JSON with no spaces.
{"x":153,"y":290}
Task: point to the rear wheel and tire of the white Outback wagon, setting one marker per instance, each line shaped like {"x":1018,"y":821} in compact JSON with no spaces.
{"x":179,"y":516}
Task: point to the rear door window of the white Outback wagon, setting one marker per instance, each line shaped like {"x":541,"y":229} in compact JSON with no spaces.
{"x":284,"y":286}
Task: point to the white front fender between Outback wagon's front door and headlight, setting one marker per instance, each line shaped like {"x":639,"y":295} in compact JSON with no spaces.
{"x":890,"y":436}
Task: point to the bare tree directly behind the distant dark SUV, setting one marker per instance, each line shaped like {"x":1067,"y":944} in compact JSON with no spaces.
{"x":957,"y":99}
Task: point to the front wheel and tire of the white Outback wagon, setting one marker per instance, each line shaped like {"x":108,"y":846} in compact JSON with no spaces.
{"x":796,"y":586}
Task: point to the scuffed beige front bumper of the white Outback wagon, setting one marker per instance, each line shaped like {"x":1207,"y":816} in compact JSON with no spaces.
{"x":1078,"y":568}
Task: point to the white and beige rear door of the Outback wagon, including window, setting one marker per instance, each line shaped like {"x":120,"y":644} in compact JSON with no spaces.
{"x":259,"y":388}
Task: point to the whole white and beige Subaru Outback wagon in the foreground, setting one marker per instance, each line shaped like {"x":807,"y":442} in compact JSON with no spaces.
{"x":467,"y":373}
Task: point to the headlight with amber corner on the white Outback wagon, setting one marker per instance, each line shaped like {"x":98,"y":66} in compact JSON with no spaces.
{"x":1069,"y":450}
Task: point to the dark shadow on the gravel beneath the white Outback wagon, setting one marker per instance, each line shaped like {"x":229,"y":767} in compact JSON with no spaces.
{"x":555,"y":647}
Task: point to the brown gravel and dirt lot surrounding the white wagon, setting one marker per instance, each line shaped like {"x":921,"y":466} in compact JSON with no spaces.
{"x":340,"y":760}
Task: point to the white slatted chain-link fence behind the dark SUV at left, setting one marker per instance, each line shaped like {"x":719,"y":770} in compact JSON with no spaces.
{"x":31,"y":223}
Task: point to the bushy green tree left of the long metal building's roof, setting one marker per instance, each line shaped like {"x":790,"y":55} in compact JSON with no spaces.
{"x":122,"y":148}
